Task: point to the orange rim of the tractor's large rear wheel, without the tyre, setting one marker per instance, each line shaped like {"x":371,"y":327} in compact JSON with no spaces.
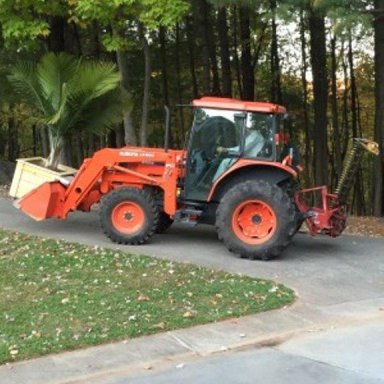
{"x":254,"y":222}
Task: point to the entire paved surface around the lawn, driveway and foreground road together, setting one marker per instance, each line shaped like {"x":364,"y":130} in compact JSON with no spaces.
{"x":333,"y":334}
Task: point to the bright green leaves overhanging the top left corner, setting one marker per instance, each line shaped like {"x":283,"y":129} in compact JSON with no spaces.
{"x":23,"y":22}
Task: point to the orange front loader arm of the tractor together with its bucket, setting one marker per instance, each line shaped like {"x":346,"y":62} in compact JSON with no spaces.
{"x":108,"y":169}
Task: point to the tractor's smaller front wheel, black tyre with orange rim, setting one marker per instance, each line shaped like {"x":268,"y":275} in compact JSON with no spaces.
{"x":129,"y":215}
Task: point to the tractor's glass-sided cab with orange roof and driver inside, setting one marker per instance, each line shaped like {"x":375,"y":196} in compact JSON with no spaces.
{"x":225,"y":131}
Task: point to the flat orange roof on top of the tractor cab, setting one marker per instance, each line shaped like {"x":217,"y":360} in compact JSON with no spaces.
{"x":238,"y":105}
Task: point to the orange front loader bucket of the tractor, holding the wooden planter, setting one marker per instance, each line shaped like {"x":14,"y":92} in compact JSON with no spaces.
{"x":43,"y":202}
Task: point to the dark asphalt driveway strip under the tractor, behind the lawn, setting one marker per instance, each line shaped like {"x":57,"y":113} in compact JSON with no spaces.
{"x":324,"y":271}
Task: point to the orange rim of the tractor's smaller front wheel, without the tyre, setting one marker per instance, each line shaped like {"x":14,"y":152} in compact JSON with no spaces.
{"x":128,"y":217}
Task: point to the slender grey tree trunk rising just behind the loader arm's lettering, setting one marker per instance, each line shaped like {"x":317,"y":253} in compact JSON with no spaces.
{"x":147,"y":80}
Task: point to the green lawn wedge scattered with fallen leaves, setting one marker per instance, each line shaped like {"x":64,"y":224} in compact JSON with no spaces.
{"x":57,"y":296}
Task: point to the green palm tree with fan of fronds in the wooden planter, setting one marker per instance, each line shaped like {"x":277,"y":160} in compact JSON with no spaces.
{"x":68,"y":94}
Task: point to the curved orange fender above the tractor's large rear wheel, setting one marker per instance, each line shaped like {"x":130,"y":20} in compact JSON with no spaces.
{"x":248,"y":165}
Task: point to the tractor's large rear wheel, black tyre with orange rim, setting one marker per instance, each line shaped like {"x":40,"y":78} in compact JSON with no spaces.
{"x":256,"y":220}
